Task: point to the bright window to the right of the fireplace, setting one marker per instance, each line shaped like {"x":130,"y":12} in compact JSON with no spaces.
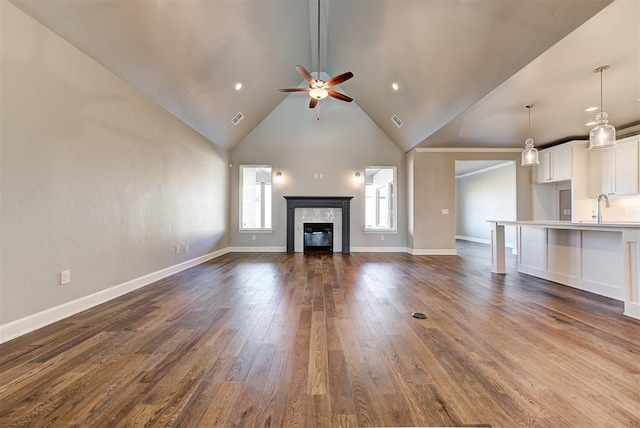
{"x":380,"y":198}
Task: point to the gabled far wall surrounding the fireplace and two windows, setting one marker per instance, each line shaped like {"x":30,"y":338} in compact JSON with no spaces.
{"x":342,"y":142}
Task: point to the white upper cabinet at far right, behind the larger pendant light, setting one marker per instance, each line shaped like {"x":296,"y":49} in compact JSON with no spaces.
{"x":615,"y":171}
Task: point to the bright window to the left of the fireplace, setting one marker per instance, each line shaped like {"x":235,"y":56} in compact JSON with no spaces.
{"x":255,"y":197}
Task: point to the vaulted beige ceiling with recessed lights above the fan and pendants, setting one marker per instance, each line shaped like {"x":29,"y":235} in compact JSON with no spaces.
{"x":465,"y":69}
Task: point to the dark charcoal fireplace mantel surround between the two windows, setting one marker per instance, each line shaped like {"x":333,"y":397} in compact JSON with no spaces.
{"x":342,"y":202}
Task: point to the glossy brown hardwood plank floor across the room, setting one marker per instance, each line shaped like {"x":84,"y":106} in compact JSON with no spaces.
{"x":318,"y":340}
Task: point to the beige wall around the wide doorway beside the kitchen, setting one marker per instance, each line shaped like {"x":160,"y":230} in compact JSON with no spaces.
{"x":434,"y":190}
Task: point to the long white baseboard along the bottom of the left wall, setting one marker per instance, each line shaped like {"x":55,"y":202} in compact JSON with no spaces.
{"x":38,"y":320}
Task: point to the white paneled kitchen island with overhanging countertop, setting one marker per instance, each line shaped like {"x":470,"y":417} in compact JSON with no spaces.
{"x":600,"y":258}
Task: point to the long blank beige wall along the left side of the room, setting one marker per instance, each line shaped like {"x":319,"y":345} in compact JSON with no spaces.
{"x":95,"y":177}
